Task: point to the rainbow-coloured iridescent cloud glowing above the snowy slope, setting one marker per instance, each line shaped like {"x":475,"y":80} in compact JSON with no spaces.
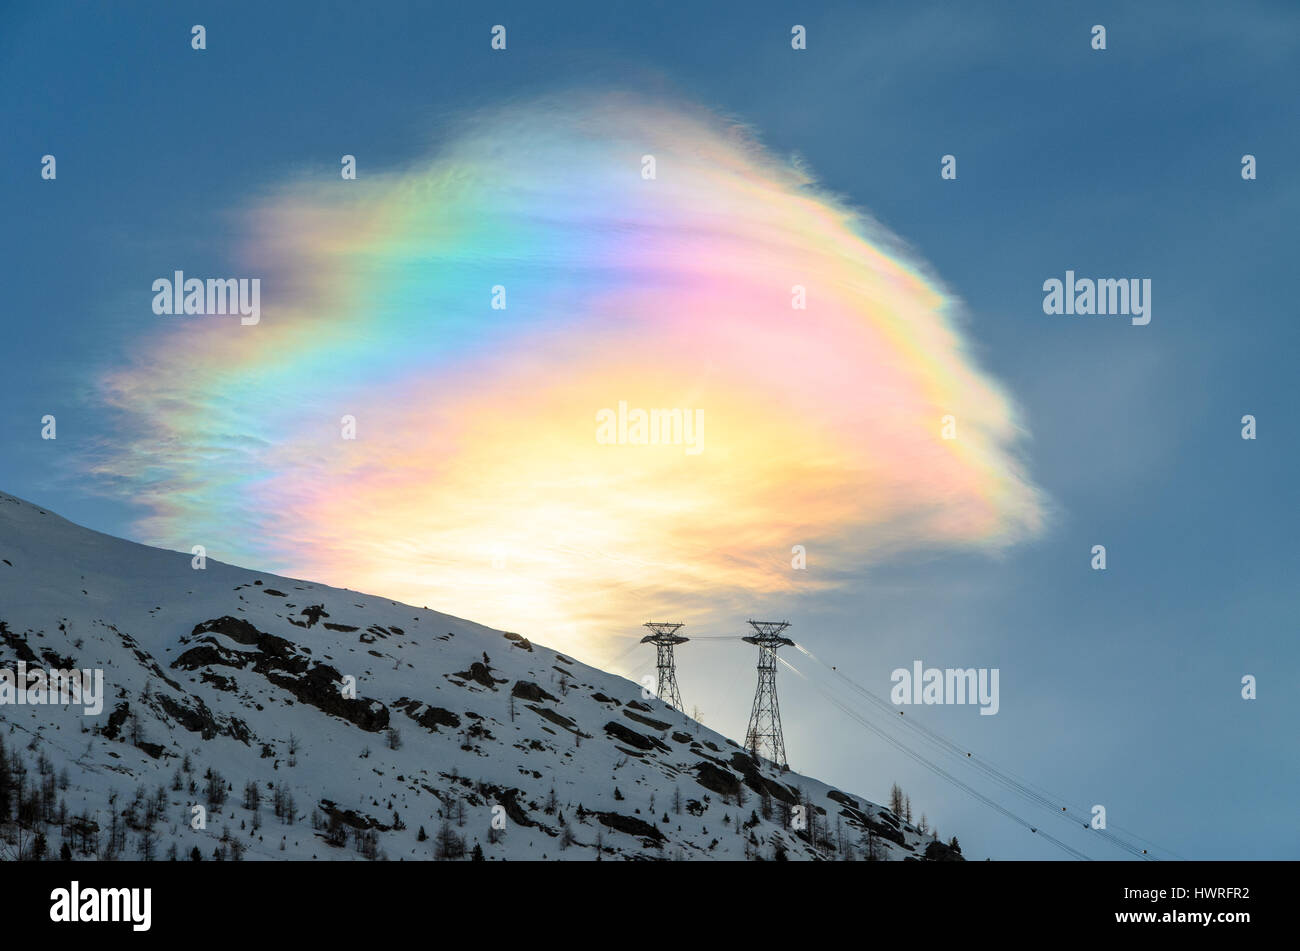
{"x":476,"y":428}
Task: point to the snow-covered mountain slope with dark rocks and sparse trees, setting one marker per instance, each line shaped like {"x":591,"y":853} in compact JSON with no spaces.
{"x":229,"y":679}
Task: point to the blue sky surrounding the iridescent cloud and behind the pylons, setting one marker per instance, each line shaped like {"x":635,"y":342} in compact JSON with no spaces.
{"x":1120,"y":687}
